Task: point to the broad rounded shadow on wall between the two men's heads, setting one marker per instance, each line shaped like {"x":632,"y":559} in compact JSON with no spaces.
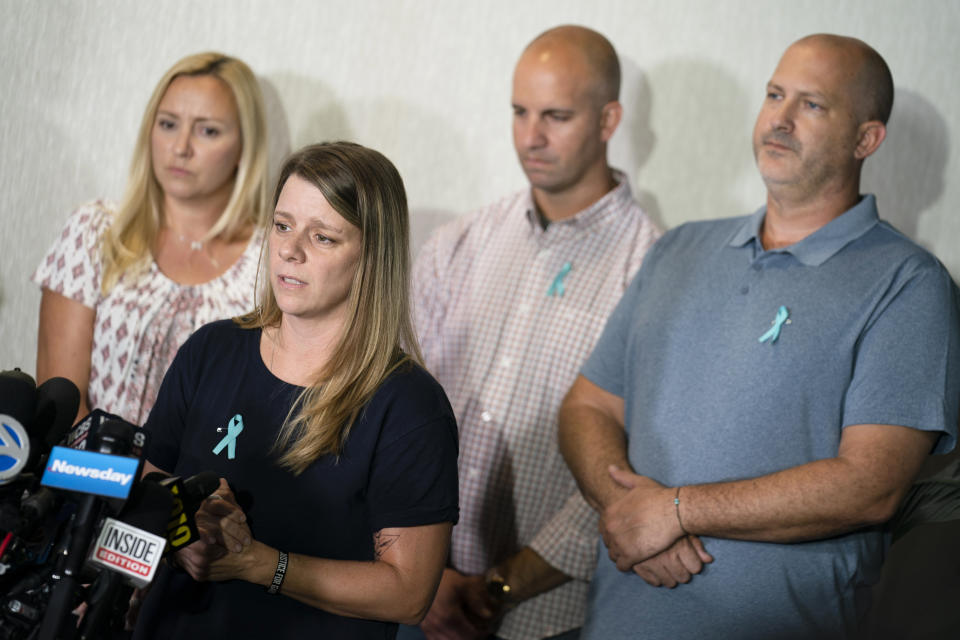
{"x":703,"y":122}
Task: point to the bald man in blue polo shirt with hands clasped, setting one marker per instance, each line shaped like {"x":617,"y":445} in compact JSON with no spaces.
{"x":770,"y":383}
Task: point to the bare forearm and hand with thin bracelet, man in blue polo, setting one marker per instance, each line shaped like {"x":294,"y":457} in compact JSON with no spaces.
{"x":861,"y":486}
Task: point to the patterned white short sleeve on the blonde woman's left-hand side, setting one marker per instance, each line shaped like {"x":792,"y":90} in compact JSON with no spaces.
{"x":71,"y":267}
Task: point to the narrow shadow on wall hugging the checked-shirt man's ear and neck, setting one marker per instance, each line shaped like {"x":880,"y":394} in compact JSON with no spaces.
{"x":632,"y":145}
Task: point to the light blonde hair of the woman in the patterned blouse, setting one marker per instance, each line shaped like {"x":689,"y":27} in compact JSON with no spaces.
{"x":126,"y":245}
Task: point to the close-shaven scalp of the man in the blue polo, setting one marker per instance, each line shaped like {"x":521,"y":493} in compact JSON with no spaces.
{"x":871,"y":83}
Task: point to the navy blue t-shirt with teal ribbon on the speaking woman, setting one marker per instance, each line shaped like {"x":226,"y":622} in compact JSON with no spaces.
{"x":398,"y":469}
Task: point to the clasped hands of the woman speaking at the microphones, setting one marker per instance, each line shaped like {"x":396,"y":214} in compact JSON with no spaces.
{"x":225,"y":539}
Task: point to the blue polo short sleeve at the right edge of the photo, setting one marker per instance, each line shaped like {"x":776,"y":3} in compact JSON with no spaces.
{"x":907,"y":368}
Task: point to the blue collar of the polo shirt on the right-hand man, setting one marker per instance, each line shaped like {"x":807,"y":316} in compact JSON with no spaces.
{"x":823,"y":243}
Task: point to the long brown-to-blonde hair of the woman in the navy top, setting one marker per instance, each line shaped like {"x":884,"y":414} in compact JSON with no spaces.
{"x":365,"y":188}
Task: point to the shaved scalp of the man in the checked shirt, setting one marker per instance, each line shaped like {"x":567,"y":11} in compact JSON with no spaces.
{"x":581,"y":50}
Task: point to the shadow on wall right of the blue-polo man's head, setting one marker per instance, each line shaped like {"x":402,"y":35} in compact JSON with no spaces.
{"x":907,"y":173}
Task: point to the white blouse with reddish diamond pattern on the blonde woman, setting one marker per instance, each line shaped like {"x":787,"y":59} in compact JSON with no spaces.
{"x":140,"y":324}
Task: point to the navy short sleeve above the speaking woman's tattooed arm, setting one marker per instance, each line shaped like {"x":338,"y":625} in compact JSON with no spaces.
{"x":413,"y":479}
